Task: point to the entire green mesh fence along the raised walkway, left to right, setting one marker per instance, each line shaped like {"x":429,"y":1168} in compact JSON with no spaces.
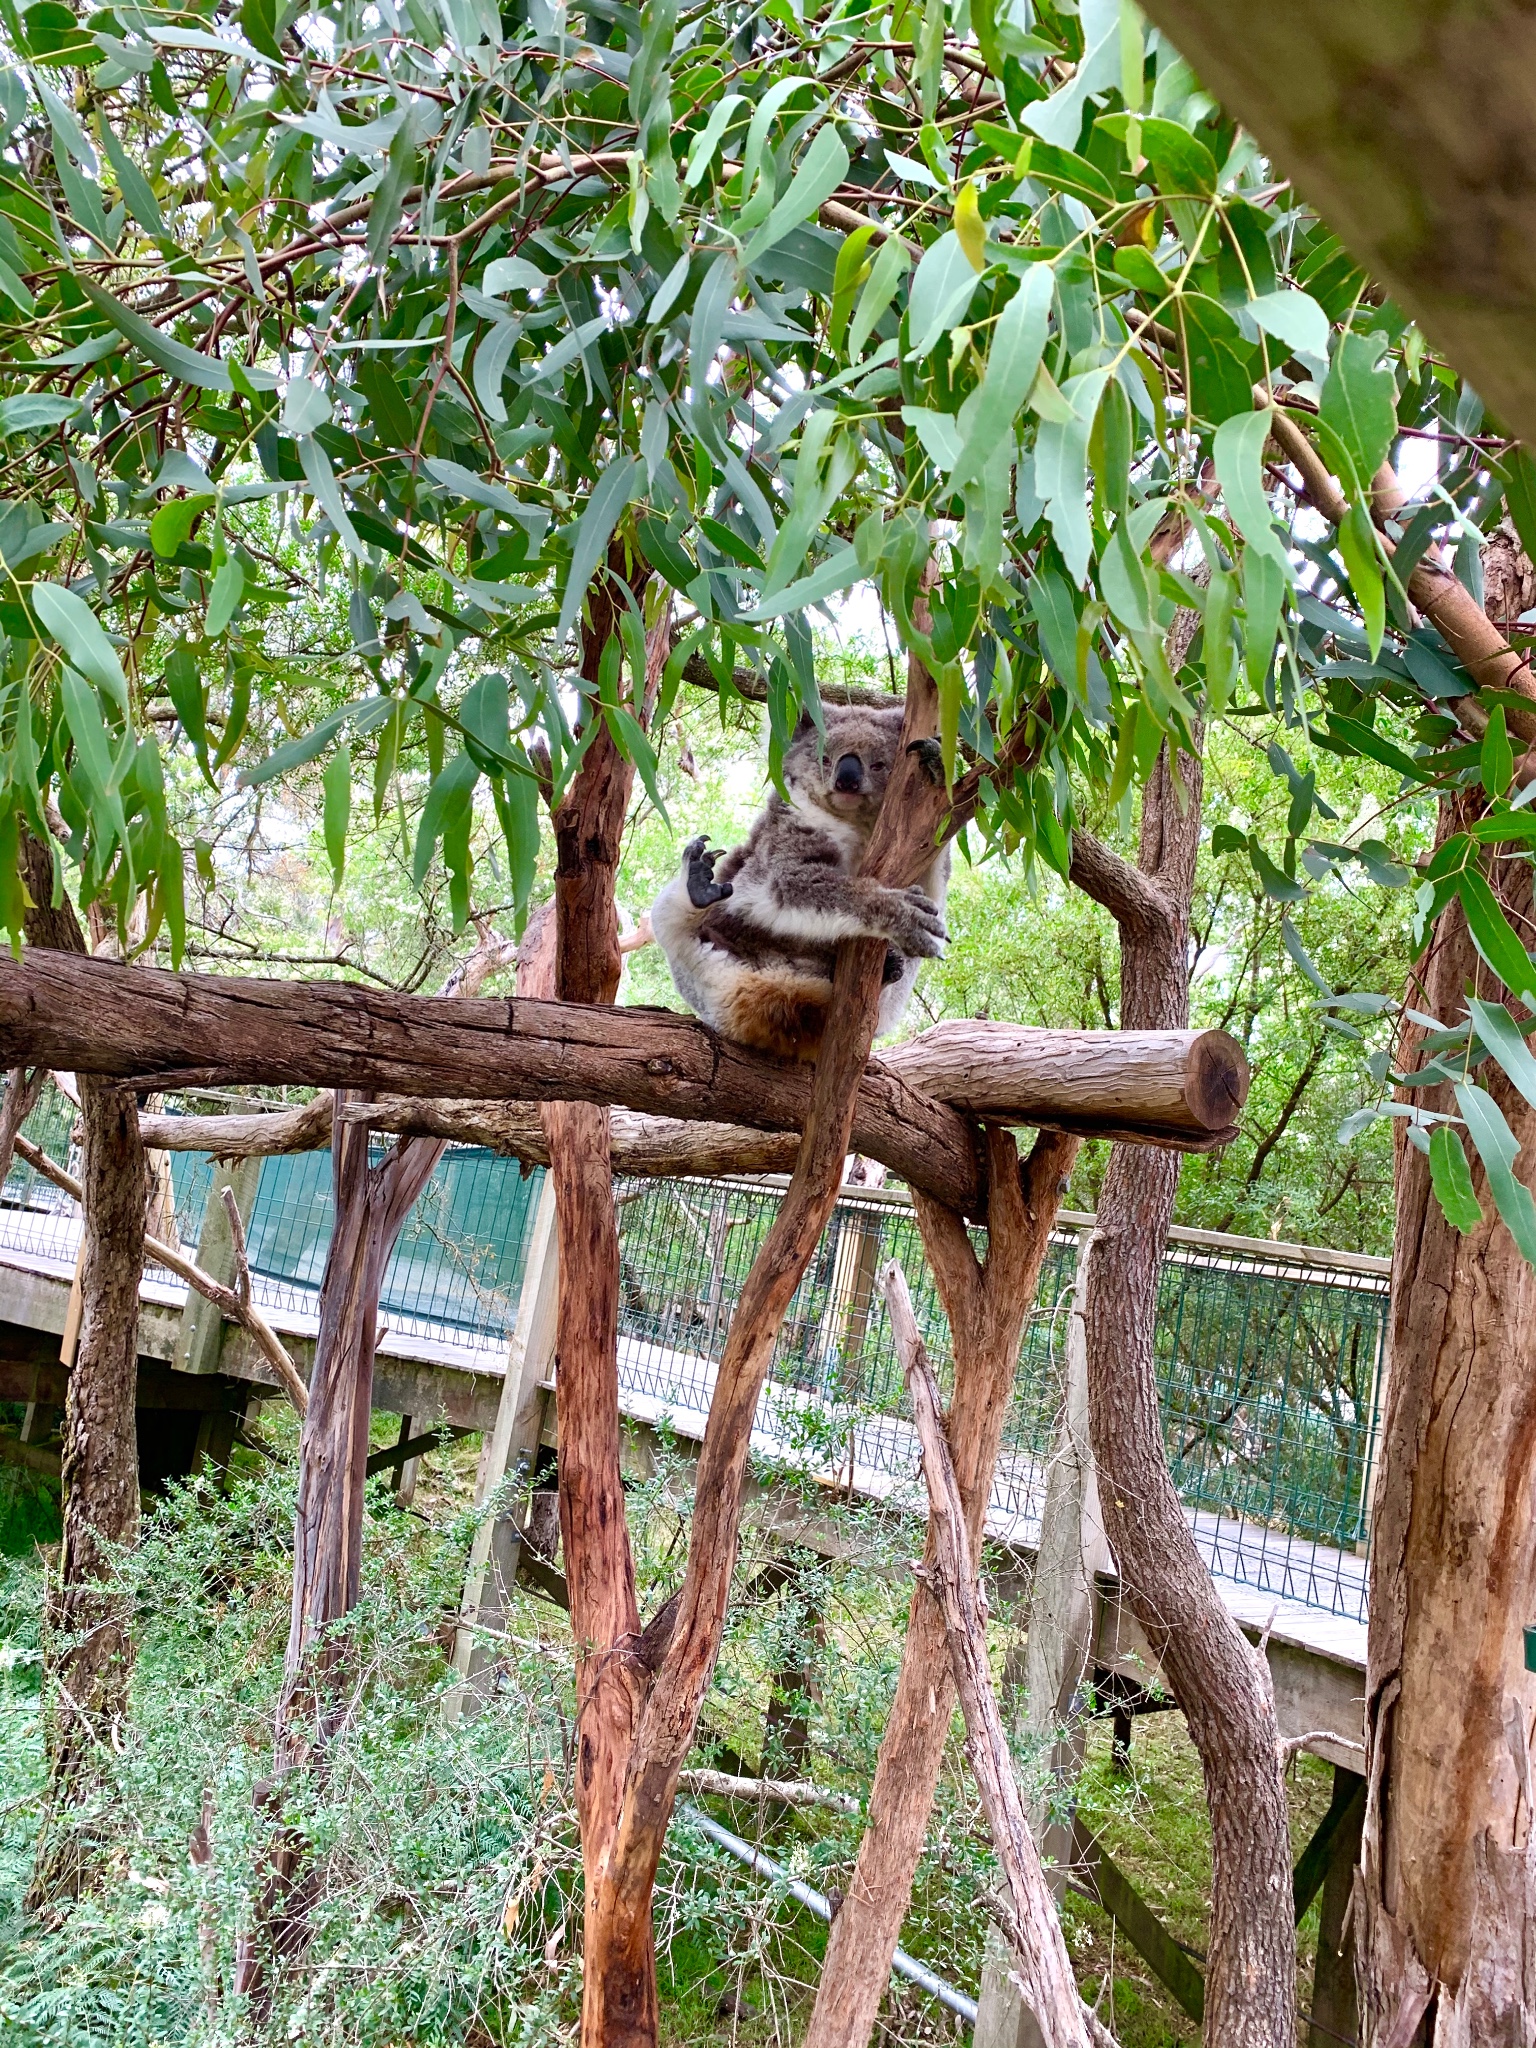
{"x":1269,"y":1357}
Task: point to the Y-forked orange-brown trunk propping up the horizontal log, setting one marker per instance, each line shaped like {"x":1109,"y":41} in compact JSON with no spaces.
{"x":986,"y":1308}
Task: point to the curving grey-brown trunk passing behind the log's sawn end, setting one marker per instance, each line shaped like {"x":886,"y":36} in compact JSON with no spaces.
{"x":1220,"y":1682}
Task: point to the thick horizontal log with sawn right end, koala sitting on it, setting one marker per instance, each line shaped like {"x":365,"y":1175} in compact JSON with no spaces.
{"x":914,"y":1113}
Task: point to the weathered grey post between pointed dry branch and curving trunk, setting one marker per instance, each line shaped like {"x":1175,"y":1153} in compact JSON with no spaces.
{"x":1064,"y":1605}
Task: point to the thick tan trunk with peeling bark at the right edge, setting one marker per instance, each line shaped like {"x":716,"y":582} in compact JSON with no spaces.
{"x":1447,"y":1887}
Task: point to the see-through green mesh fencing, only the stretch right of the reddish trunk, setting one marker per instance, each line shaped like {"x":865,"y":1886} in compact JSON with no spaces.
{"x":1267,"y":1363}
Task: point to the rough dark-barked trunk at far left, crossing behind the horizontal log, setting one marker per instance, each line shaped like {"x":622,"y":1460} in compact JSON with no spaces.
{"x":89,"y":1648}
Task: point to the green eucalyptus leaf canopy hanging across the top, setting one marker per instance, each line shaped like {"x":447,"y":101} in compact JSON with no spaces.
{"x":710,"y":312}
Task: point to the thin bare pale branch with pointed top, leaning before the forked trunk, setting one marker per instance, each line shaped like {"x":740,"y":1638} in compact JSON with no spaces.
{"x":1035,"y":1932}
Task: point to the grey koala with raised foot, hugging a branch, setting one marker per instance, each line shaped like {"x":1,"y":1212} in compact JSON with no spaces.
{"x":751,"y":935}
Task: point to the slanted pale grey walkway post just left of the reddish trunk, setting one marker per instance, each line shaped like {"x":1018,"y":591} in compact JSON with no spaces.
{"x":515,"y":1435}
